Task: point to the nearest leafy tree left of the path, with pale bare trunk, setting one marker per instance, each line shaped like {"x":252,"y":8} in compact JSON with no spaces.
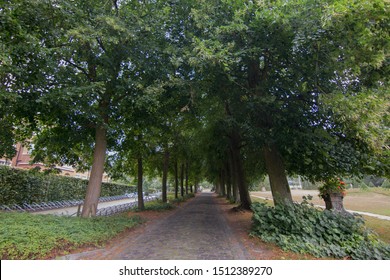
{"x":93,"y":61}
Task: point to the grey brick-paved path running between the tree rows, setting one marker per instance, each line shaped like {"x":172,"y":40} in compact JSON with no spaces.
{"x":197,"y":231}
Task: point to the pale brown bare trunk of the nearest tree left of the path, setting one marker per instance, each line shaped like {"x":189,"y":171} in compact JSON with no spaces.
{"x":95,"y":181}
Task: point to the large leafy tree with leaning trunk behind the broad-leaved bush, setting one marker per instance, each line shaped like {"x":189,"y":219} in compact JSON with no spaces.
{"x":286,"y":57}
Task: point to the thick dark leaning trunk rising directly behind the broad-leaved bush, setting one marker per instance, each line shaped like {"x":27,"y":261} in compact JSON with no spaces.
{"x":281,"y":192}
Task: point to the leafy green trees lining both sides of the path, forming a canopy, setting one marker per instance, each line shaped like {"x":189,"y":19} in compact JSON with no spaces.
{"x":226,"y":90}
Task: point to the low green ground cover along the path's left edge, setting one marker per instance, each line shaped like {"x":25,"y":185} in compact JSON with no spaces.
{"x":26,"y":236}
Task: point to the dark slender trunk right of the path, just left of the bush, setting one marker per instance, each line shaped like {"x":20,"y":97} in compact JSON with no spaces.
{"x":245,"y":200}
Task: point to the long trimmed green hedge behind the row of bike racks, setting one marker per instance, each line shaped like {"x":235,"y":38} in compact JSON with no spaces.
{"x":23,"y":186}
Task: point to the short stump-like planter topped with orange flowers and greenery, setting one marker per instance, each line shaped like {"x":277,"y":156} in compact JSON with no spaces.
{"x":333,"y":192}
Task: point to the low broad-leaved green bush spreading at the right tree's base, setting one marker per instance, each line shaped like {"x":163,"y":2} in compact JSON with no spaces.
{"x":303,"y":229}
